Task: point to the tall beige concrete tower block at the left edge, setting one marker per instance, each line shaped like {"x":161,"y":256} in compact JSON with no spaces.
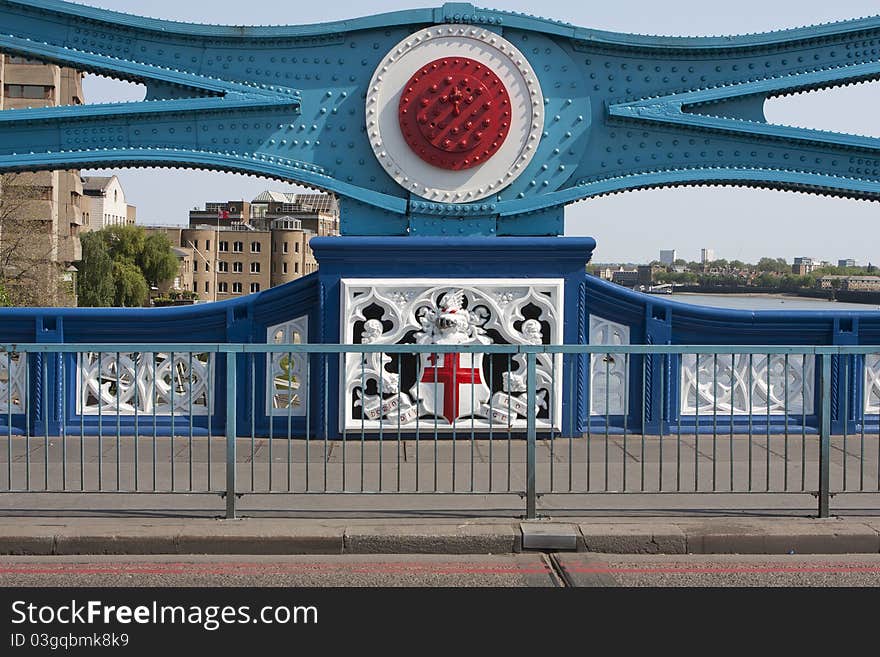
{"x":29,"y":83}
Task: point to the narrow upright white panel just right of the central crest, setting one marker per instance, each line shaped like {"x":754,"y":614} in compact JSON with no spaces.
{"x":609,"y":379}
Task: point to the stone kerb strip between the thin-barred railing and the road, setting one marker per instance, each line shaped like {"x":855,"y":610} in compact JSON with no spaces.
{"x":622,"y":535}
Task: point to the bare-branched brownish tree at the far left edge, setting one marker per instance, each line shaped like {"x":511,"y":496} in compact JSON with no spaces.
{"x":26,"y":268}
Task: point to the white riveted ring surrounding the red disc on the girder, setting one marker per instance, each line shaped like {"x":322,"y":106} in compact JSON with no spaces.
{"x":526,"y":121}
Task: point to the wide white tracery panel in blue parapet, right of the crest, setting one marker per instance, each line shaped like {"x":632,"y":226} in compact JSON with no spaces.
{"x":741,"y":384}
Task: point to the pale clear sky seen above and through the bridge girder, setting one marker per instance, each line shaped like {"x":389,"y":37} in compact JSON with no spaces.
{"x":741,"y":224}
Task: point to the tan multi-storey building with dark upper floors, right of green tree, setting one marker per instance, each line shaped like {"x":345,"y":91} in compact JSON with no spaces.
{"x":242,"y":247}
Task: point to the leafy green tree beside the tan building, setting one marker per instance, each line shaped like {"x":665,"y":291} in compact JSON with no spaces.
{"x":120,"y":262}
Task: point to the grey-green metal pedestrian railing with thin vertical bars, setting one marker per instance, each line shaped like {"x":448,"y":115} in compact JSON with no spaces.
{"x":529,"y":420}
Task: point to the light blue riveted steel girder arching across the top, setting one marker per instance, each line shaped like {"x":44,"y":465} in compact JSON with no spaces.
{"x":620,"y":111}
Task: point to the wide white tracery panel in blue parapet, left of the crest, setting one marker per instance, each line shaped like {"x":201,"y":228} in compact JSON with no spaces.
{"x":145,"y":383}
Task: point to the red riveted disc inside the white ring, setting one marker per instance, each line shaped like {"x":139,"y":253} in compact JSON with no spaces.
{"x":454,"y":113}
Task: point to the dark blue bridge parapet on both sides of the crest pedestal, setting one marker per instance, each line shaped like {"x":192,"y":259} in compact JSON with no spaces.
{"x":610,"y":315}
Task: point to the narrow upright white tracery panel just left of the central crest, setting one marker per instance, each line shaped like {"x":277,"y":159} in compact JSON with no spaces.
{"x":287,"y":383}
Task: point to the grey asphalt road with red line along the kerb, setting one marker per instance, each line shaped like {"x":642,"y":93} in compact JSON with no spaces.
{"x":518,"y":570}
